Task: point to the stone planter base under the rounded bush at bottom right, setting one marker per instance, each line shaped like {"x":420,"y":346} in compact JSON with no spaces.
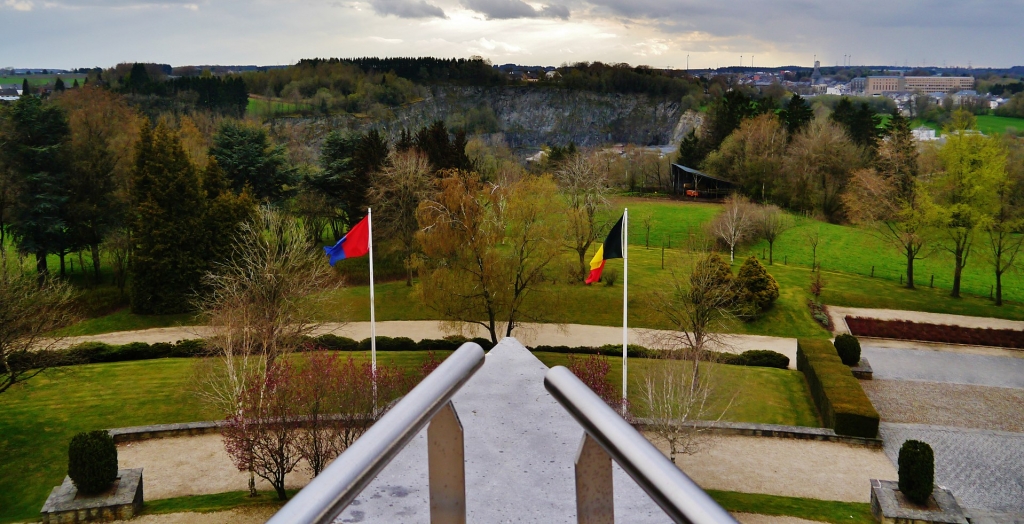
{"x":889,"y":506}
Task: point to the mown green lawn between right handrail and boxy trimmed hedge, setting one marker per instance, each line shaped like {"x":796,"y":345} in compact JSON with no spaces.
{"x":759,"y":396}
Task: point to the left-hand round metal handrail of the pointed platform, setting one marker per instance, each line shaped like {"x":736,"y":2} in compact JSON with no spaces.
{"x":328,"y":495}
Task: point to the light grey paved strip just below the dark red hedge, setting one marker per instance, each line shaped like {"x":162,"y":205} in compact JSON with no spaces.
{"x":946,"y":367}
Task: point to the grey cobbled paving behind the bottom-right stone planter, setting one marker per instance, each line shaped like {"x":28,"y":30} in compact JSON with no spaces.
{"x":985,"y":469}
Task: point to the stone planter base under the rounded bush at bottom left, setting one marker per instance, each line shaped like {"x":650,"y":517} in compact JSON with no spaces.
{"x":124,"y":501}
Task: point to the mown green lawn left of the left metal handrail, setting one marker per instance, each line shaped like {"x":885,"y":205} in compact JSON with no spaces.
{"x":40,"y":417}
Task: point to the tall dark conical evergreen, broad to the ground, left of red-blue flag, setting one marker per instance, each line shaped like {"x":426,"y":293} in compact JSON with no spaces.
{"x":169,"y":203}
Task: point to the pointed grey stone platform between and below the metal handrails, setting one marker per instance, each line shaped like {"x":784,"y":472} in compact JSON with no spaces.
{"x":521,"y":448}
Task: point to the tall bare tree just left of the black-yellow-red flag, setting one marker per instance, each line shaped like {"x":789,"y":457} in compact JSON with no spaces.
{"x":583,"y":185}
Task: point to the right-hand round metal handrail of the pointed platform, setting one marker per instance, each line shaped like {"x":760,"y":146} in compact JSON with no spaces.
{"x":679,"y":497}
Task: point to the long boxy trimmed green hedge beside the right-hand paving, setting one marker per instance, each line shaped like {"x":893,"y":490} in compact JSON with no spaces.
{"x":838,"y":396}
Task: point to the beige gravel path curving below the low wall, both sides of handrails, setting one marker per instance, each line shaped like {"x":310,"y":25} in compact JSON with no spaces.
{"x":189,"y":466}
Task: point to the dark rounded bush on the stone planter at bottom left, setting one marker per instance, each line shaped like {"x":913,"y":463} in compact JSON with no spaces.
{"x":93,"y":462}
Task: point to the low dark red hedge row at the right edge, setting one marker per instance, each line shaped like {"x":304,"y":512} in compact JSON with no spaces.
{"x":935,"y":333}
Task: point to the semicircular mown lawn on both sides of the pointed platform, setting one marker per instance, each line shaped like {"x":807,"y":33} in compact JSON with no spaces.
{"x":41,"y":417}
